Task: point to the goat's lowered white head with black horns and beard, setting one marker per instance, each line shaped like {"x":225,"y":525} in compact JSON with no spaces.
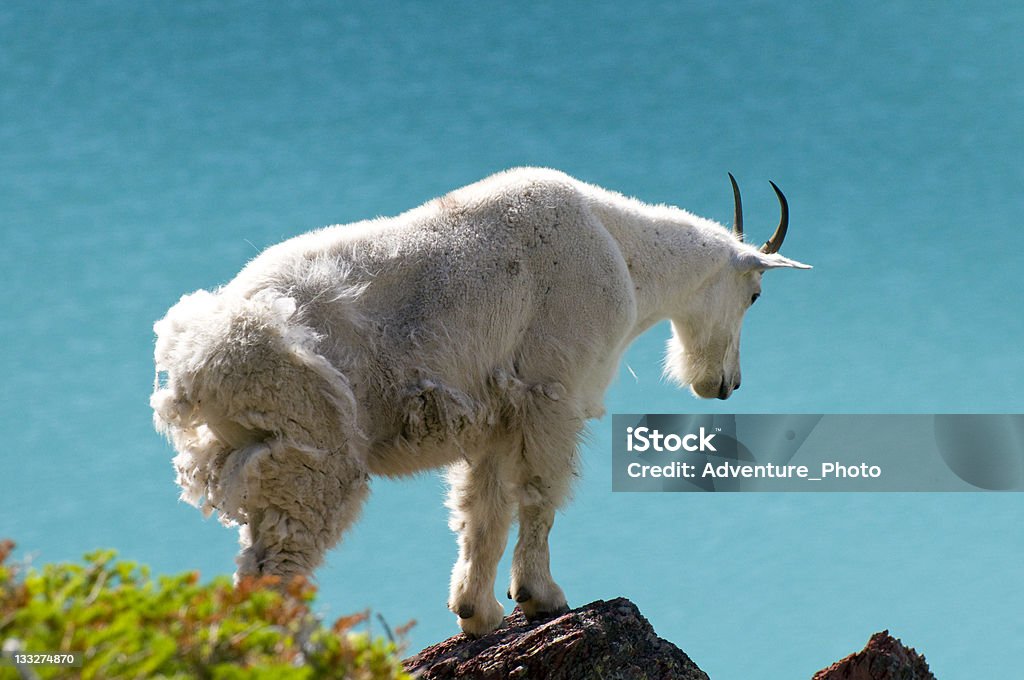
{"x":704,"y":352}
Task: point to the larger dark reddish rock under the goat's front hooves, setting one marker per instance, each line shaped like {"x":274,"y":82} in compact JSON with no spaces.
{"x":606,"y":640}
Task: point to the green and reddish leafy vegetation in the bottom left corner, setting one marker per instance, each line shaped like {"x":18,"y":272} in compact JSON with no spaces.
{"x":131,"y":625}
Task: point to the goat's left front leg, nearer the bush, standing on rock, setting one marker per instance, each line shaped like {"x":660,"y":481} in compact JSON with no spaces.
{"x":482,"y":514}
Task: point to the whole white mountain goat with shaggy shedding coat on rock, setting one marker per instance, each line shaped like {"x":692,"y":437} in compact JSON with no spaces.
{"x":477,"y":332}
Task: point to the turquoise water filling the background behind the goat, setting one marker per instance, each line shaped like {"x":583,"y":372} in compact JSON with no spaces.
{"x":148,"y":150}
